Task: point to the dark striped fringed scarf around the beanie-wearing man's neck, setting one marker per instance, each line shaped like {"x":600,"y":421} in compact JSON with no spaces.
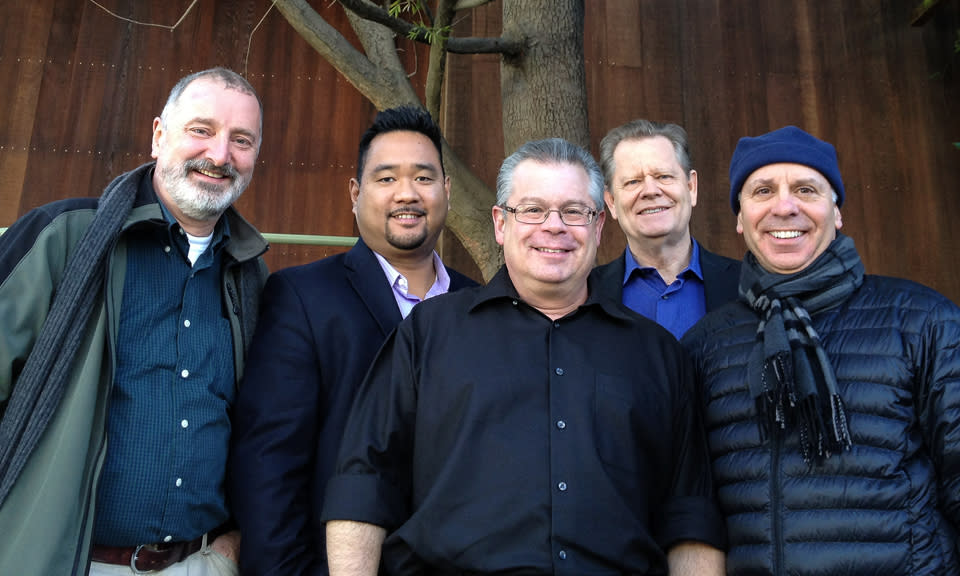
{"x":790,"y":376}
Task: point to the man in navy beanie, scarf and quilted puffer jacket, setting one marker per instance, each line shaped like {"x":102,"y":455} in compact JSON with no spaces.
{"x":831,"y":397}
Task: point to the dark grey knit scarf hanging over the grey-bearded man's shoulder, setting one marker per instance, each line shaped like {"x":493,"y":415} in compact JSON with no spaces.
{"x":40,"y":386}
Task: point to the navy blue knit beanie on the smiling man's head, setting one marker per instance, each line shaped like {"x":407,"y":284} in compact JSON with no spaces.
{"x":789,"y":144}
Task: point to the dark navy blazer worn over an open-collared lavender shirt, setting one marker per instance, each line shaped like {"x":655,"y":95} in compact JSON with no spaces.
{"x":320,"y":327}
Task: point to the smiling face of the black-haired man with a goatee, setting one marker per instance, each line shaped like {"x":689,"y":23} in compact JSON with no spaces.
{"x":402,"y":197}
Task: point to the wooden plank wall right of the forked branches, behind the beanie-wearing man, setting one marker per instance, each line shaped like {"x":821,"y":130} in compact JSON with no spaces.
{"x":854,"y":73}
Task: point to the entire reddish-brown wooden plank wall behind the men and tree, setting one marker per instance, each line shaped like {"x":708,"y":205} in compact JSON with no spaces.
{"x":83,"y":87}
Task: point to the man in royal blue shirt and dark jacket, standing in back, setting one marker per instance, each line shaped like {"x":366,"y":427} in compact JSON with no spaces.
{"x":651,"y":189}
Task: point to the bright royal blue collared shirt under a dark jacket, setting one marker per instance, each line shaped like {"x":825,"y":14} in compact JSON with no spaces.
{"x":676,"y":307}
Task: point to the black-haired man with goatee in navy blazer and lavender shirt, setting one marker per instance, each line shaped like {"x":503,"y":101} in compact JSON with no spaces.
{"x":320,"y":327}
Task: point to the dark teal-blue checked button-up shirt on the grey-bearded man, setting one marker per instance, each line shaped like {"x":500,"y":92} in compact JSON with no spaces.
{"x":168,"y":425}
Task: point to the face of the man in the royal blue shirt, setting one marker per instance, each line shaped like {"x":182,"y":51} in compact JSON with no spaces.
{"x":650,"y":194}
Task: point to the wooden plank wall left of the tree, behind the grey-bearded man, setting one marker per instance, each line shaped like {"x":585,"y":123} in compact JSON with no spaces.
{"x":84,"y":87}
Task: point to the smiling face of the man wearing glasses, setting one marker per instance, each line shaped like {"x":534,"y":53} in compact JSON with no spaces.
{"x":548,"y":262}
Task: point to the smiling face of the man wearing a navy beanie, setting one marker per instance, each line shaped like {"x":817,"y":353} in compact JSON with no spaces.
{"x":788,"y":216}
